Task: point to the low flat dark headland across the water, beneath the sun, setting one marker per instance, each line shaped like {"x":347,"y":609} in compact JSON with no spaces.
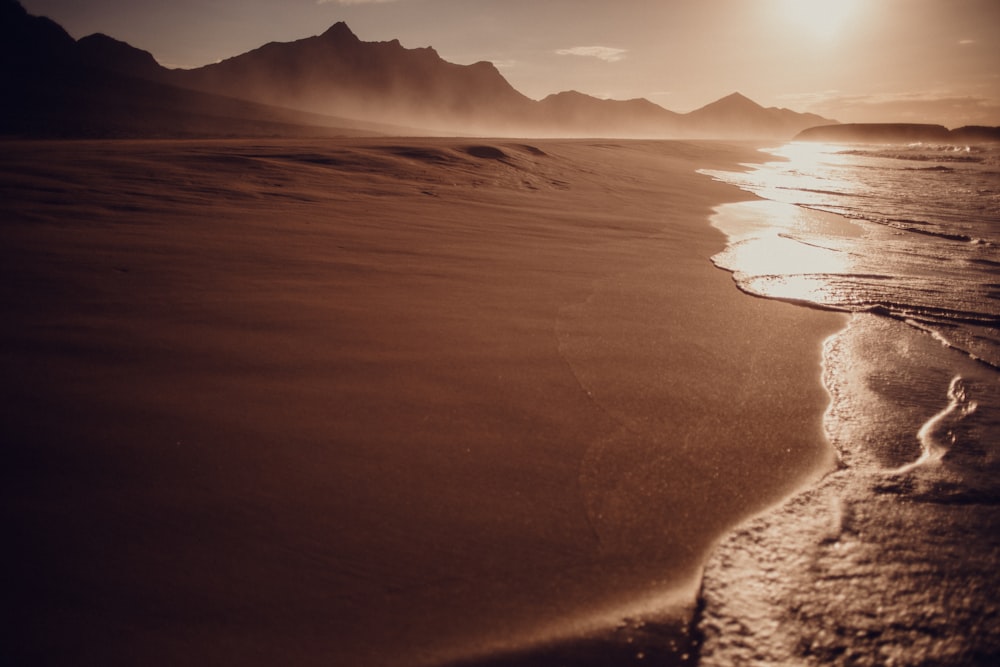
{"x":898,"y":133}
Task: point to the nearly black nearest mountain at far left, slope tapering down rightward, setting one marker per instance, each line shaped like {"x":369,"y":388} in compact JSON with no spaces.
{"x":54,"y":86}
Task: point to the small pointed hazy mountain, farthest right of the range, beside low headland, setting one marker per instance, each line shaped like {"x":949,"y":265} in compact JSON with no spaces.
{"x":736,"y":116}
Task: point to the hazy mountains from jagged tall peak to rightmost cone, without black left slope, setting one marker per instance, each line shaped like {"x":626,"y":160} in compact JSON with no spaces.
{"x":338,"y":73}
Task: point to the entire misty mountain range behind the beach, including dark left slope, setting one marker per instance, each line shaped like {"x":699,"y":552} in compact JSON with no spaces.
{"x":318,"y":86}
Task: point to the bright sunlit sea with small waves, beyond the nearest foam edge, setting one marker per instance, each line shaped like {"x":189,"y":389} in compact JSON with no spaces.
{"x":923,"y":246}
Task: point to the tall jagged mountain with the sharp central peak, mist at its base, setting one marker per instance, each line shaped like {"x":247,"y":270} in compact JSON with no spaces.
{"x":336,"y":73}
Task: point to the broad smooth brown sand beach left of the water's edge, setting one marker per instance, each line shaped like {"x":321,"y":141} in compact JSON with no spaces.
{"x":381,"y":401}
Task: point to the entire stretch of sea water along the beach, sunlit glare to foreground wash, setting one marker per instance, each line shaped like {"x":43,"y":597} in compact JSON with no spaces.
{"x":894,"y":558}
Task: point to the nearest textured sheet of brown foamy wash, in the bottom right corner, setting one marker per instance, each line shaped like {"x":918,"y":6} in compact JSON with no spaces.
{"x":893,"y":559}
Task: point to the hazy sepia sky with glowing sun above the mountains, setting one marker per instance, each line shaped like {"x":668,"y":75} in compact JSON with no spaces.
{"x":852,"y":60}
